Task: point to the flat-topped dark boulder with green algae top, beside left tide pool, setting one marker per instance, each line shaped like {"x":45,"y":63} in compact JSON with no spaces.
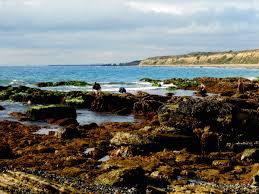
{"x":52,"y":111}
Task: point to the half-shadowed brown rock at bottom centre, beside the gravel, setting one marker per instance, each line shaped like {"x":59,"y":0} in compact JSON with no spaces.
{"x":122,"y":177}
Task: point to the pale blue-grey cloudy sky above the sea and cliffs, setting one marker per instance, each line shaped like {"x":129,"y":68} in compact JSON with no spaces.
{"x":35,"y":32}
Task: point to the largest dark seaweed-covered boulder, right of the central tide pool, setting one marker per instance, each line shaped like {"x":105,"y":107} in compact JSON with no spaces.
{"x":193,"y":112}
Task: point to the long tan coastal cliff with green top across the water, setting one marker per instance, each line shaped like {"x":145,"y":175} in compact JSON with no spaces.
{"x":206,"y":58}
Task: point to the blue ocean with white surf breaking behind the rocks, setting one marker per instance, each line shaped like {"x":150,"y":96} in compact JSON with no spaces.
{"x":112,"y":77}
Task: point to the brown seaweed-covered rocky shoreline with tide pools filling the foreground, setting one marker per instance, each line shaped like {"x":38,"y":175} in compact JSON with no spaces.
{"x":183,"y":144}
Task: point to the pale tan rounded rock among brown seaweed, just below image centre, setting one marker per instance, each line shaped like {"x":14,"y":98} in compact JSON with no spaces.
{"x":124,"y":138}
